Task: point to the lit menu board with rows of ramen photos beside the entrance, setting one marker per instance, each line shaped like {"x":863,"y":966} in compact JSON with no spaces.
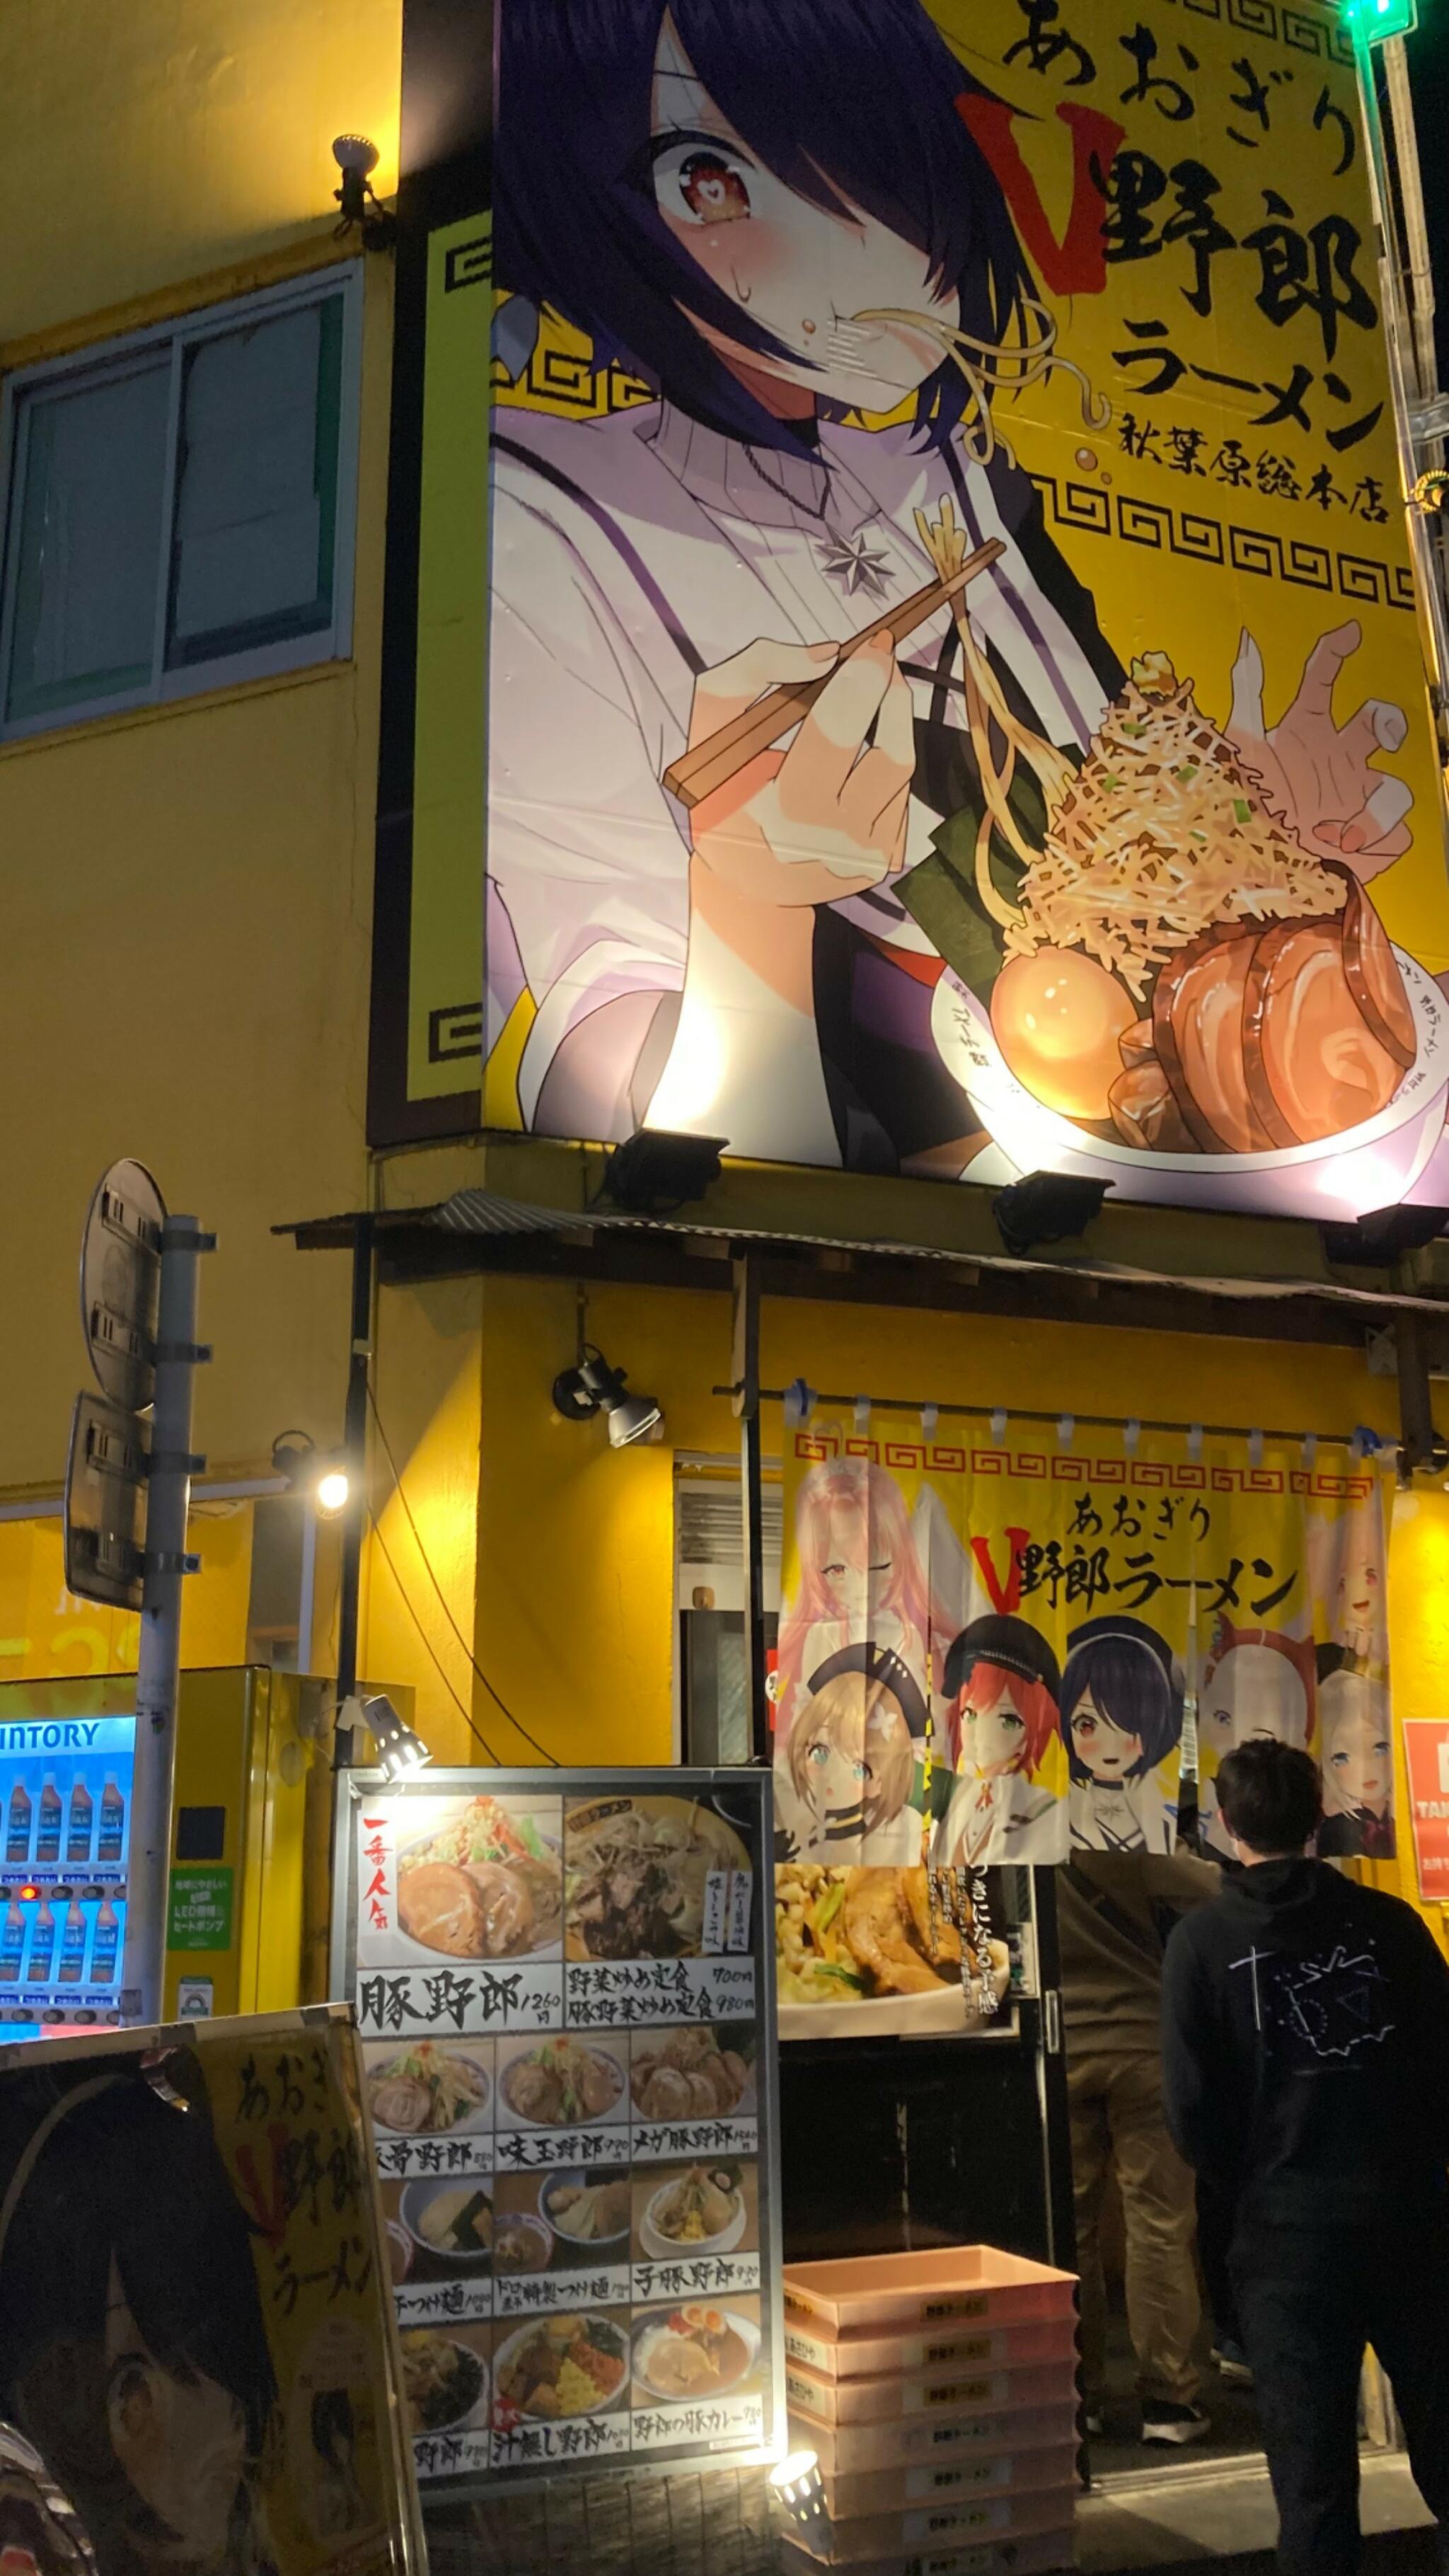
{"x":569,"y":2036}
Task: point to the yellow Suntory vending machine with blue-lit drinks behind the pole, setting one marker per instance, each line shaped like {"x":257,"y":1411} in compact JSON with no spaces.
{"x":244,"y":1748}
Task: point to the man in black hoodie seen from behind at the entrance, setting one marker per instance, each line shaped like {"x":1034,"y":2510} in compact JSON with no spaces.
{"x":1306,"y":2060}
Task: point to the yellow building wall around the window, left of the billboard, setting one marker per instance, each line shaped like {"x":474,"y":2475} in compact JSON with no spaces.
{"x":187,"y":893}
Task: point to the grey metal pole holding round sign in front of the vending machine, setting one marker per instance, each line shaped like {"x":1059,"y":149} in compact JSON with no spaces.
{"x":159,"y":1660}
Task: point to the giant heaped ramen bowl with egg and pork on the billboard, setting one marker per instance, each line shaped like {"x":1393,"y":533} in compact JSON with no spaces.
{"x":1187,"y":988}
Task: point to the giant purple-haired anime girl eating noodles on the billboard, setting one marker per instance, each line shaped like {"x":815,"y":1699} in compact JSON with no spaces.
{"x":772,"y":213}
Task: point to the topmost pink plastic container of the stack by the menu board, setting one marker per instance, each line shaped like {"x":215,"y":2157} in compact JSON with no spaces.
{"x":896,"y":2294}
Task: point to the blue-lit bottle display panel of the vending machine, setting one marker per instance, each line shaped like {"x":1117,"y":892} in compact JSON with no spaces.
{"x":66,"y":1835}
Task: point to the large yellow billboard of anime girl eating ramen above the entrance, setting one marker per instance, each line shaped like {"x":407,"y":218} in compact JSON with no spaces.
{"x":1048,"y":334}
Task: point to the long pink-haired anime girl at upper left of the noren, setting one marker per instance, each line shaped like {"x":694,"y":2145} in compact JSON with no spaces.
{"x":860,"y":1578}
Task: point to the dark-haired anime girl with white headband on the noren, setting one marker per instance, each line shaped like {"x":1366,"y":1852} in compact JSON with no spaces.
{"x":1123,"y":1714}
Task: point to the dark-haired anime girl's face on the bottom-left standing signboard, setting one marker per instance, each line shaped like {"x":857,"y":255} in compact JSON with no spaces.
{"x":133,"y":2343}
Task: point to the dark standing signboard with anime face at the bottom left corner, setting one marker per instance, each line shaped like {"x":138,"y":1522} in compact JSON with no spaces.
{"x":195,"y":2325}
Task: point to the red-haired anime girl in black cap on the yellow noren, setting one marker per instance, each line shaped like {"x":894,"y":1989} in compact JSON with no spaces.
{"x":1002,"y":1686}
